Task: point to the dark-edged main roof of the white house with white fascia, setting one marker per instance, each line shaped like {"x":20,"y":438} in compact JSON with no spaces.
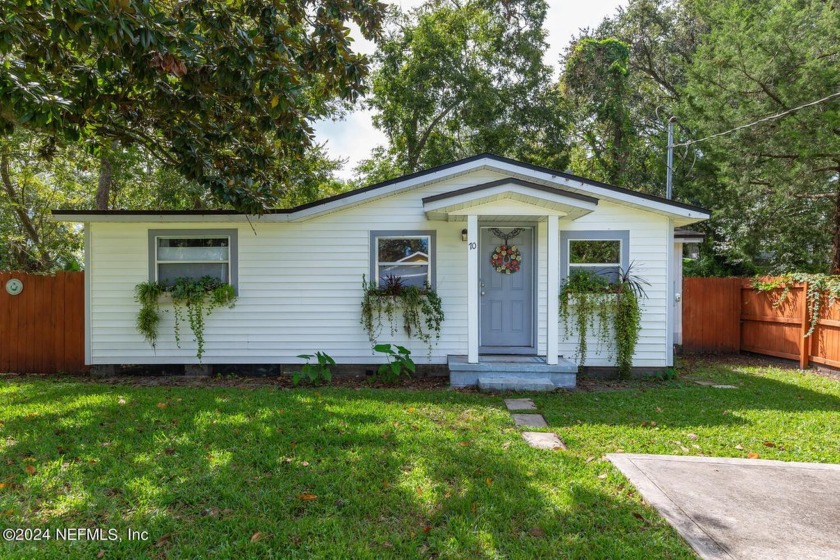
{"x":568,"y":183}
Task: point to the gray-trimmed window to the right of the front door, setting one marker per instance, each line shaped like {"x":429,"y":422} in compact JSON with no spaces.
{"x":603,"y":253}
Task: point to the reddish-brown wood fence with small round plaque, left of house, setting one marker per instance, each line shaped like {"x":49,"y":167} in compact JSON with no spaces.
{"x":42,"y":328}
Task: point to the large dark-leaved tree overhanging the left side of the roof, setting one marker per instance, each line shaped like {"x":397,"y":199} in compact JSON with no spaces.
{"x":222,"y":92}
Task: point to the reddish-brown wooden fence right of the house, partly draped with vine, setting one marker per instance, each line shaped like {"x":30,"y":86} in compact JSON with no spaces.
{"x":728,"y":315}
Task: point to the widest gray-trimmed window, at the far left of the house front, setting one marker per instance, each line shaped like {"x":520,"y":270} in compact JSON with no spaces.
{"x":192,"y":254}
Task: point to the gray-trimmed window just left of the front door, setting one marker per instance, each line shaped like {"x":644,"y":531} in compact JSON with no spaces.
{"x":408,"y":255}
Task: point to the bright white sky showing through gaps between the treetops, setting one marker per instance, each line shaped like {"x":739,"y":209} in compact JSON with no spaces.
{"x":354,"y":137}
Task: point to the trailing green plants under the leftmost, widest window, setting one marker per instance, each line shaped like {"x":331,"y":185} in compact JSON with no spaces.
{"x":197,"y":297}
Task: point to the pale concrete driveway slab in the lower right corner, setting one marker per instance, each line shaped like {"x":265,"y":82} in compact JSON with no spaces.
{"x":743,"y":508}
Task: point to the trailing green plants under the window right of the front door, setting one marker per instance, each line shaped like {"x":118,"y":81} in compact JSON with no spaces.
{"x":615,"y":305}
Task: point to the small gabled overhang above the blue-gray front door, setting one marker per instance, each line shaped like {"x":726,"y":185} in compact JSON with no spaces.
{"x":508,"y":198}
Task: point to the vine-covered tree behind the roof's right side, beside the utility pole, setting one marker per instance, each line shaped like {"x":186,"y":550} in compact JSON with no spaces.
{"x":624,"y":80}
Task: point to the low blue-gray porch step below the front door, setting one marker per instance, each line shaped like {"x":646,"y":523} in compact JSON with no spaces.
{"x":512,"y":373}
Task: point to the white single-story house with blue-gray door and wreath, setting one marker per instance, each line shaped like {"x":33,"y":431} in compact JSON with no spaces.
{"x":298,"y":272}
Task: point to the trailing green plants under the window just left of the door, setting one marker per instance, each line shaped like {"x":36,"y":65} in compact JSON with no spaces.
{"x":422,"y":310}
